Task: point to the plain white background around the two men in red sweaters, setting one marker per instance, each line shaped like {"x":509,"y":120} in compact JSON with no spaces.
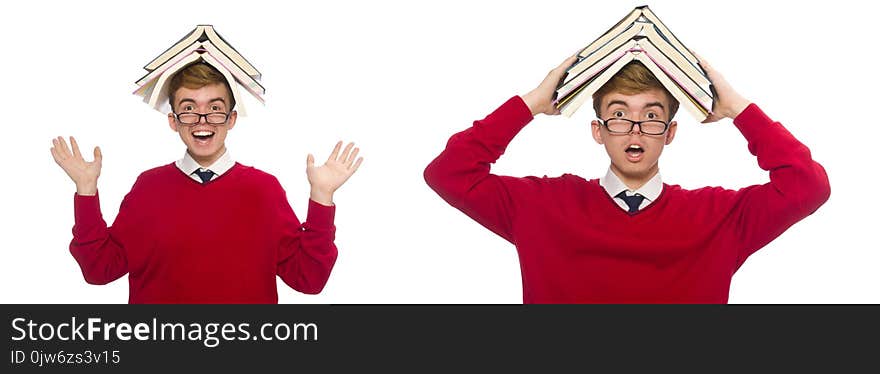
{"x":399,"y":78}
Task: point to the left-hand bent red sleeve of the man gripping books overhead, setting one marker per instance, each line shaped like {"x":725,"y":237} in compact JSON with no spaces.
{"x":460,"y":174}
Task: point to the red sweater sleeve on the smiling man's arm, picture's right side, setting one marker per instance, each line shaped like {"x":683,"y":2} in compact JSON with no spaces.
{"x":306,"y":251}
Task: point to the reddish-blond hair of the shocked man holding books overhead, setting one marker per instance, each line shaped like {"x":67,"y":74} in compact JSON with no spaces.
{"x":633,"y":79}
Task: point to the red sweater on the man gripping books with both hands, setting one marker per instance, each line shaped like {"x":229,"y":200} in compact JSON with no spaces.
{"x":576,"y":245}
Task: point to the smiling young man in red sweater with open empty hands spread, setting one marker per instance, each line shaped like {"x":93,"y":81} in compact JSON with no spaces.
{"x":205,"y":229}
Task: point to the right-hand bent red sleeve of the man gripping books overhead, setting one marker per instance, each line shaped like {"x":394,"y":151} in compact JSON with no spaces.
{"x":798,"y":185}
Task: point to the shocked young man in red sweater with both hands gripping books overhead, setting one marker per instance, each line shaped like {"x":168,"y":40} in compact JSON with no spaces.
{"x":628,"y":237}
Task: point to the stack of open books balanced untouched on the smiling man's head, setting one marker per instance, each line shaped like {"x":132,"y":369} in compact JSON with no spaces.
{"x":206,"y":45}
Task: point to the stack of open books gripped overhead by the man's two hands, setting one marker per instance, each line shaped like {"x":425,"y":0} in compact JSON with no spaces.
{"x":640,"y":36}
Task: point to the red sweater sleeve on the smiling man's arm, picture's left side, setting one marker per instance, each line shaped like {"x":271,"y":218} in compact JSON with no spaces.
{"x":98,"y":249}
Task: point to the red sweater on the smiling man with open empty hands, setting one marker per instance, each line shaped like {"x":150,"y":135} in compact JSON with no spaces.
{"x":181,"y":241}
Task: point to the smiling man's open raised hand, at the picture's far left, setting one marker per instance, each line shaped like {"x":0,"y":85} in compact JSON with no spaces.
{"x":83,"y":173}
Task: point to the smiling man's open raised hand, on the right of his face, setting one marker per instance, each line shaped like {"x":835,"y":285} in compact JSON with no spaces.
{"x":327,"y":178}
